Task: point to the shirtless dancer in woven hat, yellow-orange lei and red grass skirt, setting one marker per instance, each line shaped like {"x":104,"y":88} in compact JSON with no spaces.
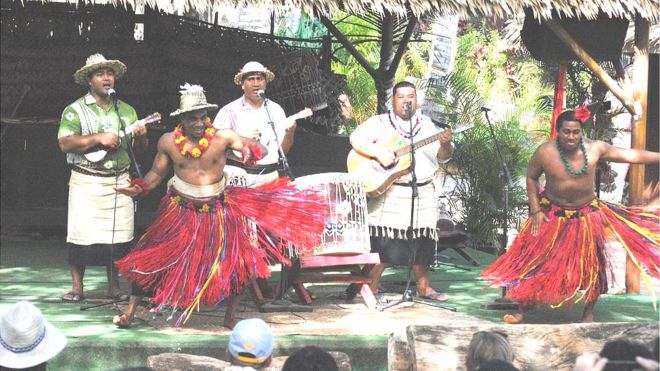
{"x":202,"y":249}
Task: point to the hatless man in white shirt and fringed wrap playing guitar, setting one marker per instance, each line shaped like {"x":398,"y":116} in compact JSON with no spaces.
{"x":389,"y":220}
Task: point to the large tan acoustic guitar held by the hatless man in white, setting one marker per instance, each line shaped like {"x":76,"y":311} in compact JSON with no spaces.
{"x":378,"y":179}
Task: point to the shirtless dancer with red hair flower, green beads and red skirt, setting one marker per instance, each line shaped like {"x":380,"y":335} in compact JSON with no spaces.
{"x":560,"y":249}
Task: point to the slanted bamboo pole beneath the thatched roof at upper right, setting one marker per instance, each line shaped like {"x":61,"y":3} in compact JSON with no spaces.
{"x":611,"y":85}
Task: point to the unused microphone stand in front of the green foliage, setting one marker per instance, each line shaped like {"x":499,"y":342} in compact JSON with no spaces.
{"x":501,"y":303}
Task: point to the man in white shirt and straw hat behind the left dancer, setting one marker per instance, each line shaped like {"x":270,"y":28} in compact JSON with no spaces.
{"x":251,"y":116}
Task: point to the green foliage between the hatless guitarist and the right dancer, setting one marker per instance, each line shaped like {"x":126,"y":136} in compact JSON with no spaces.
{"x":484,"y":72}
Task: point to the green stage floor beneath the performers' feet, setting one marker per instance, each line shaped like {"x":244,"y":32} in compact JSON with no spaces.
{"x":33,"y":267}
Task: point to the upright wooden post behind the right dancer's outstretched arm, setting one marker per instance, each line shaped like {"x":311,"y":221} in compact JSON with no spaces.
{"x":640,"y":92}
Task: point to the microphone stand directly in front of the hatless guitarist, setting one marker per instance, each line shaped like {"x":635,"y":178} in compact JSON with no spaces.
{"x":412,"y":242}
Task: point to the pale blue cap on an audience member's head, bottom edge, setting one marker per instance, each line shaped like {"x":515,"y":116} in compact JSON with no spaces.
{"x":251,"y":341}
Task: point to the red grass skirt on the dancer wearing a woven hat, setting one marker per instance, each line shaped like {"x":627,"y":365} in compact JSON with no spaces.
{"x":200,"y":253}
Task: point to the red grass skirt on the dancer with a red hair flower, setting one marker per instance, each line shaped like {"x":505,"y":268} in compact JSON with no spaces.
{"x":569,"y":253}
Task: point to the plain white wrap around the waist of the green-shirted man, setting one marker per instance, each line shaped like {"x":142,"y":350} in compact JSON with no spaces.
{"x":92,"y":213}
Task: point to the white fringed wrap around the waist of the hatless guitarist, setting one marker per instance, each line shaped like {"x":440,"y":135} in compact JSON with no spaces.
{"x":389,"y":214}
